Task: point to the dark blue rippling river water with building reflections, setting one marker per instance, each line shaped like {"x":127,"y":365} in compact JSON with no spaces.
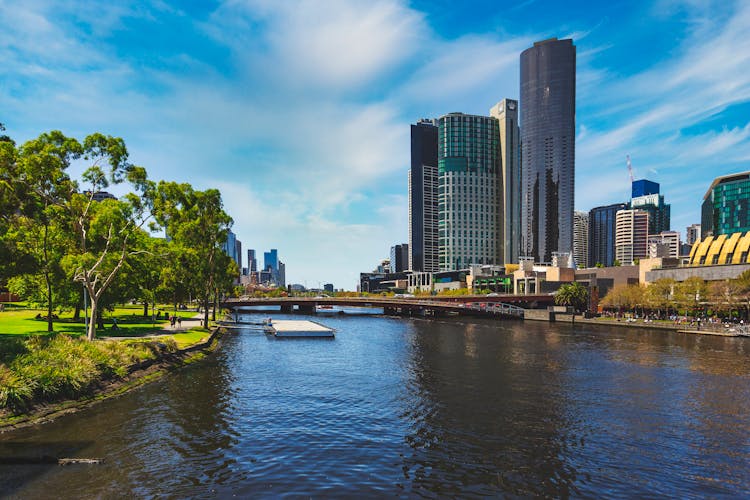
{"x":401,"y":407}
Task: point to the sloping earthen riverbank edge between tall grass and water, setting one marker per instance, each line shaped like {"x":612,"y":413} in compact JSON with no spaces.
{"x":136,"y":375}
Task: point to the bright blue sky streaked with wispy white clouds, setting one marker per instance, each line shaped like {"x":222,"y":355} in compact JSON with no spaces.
{"x":299,"y":111}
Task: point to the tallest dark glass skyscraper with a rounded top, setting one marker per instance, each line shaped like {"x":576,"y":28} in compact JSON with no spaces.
{"x":548,"y":97}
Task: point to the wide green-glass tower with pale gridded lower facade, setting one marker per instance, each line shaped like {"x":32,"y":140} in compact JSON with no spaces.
{"x":469,"y":185}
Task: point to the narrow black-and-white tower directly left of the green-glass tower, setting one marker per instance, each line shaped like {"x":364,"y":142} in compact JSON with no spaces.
{"x":423,"y":205}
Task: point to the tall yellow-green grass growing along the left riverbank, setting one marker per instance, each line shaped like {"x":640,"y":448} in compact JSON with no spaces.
{"x":59,"y":366}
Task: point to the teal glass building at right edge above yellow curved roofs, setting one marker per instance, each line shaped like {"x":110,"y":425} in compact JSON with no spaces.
{"x":726,"y":205}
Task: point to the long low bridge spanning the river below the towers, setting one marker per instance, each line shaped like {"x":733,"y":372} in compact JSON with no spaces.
{"x":481,"y":305}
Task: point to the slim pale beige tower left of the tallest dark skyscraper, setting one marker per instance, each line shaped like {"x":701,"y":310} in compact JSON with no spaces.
{"x":506,"y":112}
